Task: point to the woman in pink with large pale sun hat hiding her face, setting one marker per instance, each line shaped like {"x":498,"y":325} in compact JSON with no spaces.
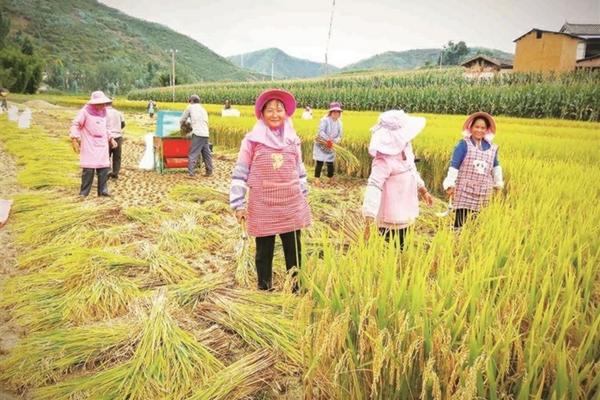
{"x":391,"y":199}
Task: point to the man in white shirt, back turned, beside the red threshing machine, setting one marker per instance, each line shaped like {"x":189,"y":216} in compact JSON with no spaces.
{"x":200,"y":146}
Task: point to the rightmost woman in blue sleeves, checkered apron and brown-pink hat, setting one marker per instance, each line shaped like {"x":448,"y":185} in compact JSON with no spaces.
{"x":474,"y":169}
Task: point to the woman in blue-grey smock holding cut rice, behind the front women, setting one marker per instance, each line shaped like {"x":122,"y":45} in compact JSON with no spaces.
{"x":330,"y":132}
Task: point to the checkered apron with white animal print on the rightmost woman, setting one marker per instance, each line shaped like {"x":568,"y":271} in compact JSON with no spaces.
{"x":475,"y":181}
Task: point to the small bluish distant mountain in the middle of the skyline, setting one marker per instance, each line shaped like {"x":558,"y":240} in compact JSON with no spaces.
{"x":282,"y":64}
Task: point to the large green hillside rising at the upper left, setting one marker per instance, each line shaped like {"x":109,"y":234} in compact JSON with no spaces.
{"x":87,"y":45}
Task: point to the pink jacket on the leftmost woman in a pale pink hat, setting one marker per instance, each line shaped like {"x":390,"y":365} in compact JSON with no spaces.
{"x":93,"y":133}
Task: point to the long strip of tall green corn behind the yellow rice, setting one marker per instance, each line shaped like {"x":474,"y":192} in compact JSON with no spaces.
{"x":572,"y":95}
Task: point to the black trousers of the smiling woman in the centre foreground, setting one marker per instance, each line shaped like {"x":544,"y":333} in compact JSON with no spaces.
{"x":265,"y":247}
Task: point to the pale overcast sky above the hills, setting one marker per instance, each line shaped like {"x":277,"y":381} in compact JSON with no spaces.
{"x":361,"y":28}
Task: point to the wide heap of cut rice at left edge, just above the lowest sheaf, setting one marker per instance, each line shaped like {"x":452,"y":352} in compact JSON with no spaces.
{"x":88,"y":284}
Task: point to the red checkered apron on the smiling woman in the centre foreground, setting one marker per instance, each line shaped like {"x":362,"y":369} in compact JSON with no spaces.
{"x":275,"y":202}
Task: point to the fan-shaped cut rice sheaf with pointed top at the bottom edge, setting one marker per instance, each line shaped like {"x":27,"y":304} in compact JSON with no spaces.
{"x":167,"y":363}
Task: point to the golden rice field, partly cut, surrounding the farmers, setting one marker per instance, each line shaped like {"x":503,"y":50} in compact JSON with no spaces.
{"x":155,"y":299}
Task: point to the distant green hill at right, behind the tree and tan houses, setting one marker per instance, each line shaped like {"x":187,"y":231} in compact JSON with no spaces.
{"x":411,"y":59}
